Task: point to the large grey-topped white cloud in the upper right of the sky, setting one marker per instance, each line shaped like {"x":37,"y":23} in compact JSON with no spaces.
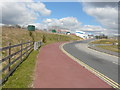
{"x":104,"y":12}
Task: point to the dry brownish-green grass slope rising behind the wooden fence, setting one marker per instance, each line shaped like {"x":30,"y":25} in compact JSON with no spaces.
{"x":15,"y":35}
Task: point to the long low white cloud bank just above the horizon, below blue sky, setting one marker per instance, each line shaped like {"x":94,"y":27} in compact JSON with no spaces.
{"x":72,"y":24}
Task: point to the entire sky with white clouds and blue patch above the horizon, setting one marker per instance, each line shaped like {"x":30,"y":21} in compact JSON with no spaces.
{"x":94,"y":17}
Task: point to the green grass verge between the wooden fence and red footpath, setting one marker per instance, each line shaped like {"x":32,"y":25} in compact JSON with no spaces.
{"x":23,"y":76}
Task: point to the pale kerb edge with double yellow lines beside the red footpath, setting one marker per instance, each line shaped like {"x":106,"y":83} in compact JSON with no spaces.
{"x":100,"y":75}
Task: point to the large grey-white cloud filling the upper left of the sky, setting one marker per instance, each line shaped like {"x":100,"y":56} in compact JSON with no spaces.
{"x":23,"y":12}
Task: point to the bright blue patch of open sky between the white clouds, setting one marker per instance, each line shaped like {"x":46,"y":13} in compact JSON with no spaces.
{"x":70,"y":9}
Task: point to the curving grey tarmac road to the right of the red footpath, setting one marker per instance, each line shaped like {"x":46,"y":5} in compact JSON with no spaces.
{"x":103,"y":63}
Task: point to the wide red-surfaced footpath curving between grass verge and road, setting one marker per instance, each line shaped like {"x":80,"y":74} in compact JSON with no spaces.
{"x":56,"y":70}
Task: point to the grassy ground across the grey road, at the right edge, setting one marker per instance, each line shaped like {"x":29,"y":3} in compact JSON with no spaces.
{"x":114,"y":48}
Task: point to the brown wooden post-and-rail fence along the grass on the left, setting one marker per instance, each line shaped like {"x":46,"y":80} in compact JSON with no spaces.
{"x":13,"y":56}
